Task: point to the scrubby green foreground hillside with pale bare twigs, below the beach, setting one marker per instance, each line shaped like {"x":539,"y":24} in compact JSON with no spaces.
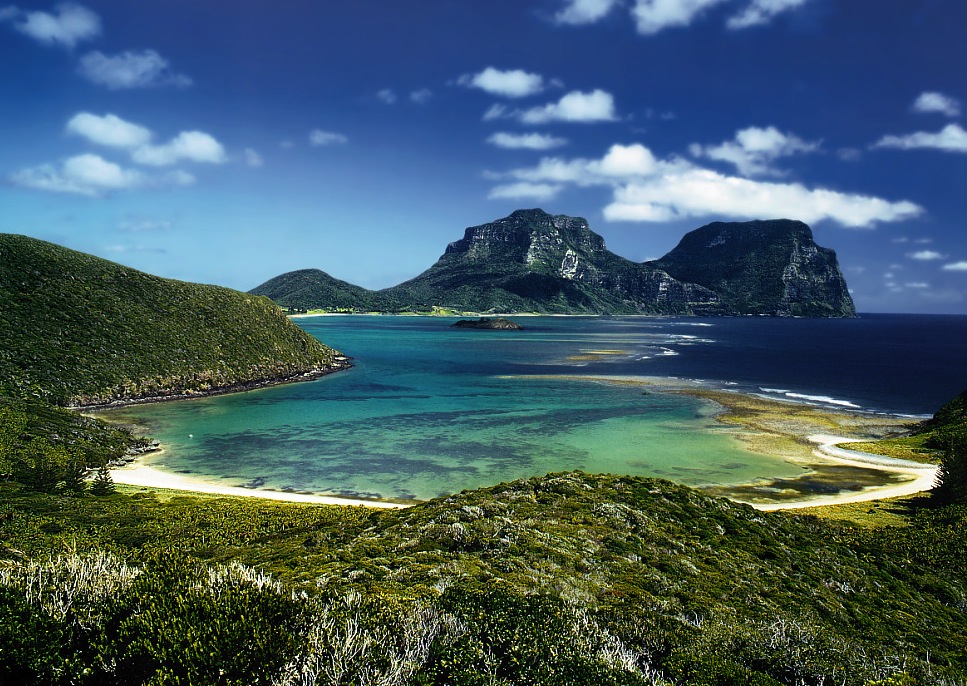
{"x":565,"y":579}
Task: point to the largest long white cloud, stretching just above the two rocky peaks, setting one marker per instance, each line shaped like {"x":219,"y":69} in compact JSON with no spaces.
{"x":646,"y":188}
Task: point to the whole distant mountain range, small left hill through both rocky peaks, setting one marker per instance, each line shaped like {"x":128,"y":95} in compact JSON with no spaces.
{"x":532,"y":261}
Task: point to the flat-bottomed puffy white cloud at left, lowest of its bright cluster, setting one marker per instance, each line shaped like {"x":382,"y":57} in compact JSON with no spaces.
{"x":90,"y":175}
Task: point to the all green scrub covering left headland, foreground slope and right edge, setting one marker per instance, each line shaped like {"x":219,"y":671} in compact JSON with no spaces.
{"x":566,"y":579}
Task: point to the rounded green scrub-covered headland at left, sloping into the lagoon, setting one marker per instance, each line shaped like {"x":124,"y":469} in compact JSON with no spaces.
{"x":79,"y":330}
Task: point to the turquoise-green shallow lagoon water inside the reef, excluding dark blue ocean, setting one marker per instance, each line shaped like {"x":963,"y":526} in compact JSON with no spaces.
{"x":430,"y":410}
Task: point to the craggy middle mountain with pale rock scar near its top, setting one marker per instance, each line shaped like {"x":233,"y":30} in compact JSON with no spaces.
{"x":532,"y":260}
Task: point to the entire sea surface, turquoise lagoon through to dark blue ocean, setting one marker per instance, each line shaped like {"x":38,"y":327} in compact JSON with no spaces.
{"x":429,"y":410}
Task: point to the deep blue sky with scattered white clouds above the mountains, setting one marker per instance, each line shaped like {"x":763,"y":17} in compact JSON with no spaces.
{"x":230,"y":142}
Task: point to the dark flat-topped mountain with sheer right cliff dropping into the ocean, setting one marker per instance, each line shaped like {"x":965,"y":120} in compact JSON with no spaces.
{"x":762,"y":267}
